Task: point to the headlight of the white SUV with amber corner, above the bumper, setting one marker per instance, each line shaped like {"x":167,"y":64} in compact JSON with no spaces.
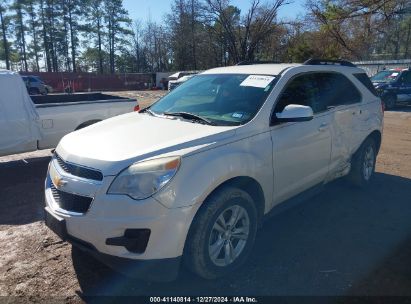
{"x":143,"y":179}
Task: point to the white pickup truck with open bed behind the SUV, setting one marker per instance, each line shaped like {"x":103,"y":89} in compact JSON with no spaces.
{"x":26,"y":126}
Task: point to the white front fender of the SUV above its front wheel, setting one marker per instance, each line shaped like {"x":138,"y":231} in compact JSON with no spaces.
{"x":203,"y":172}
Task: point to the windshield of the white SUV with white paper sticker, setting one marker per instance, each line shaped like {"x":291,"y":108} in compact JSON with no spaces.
{"x":223,"y":99}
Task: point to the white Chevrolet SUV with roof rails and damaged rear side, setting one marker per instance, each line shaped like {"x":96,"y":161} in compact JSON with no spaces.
{"x":211,"y":159}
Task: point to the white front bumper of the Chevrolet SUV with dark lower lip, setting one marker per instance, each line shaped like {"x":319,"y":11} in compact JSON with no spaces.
{"x":109,"y":216}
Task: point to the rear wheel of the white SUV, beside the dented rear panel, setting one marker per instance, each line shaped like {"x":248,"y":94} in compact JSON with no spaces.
{"x":363,"y":164}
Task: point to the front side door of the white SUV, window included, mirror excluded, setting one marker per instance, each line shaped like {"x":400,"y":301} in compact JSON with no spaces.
{"x":301,"y":150}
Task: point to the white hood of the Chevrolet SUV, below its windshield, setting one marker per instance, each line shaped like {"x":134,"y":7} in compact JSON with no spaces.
{"x":115,"y":143}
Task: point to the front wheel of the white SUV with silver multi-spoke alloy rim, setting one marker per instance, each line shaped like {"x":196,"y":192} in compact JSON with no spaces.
{"x":206,"y":233}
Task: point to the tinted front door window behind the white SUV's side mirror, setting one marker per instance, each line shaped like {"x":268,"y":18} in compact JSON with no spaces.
{"x":302,"y":90}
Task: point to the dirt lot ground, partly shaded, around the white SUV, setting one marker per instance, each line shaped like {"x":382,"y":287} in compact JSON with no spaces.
{"x":343,"y":242}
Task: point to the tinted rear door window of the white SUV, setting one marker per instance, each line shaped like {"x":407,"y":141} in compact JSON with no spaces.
{"x":336,"y":90}
